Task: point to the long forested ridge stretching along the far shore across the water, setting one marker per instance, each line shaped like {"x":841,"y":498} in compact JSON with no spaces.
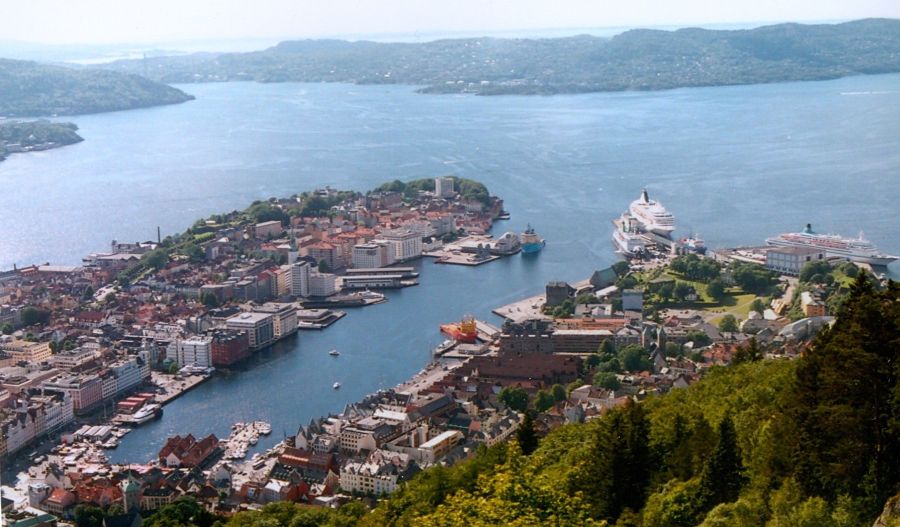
{"x":635,"y":60}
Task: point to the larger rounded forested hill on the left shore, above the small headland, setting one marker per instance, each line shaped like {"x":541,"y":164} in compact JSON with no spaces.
{"x":32,"y":89}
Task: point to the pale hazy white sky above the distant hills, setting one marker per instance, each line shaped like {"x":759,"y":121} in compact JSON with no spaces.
{"x":107,"y":21}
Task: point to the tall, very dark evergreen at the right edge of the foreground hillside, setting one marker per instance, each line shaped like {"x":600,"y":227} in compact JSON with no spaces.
{"x":846,"y":400}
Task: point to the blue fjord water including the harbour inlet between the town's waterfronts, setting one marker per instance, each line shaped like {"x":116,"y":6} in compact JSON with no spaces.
{"x":734,"y":164}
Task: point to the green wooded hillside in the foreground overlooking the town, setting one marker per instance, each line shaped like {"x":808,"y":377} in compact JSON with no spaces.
{"x":810,"y":442}
